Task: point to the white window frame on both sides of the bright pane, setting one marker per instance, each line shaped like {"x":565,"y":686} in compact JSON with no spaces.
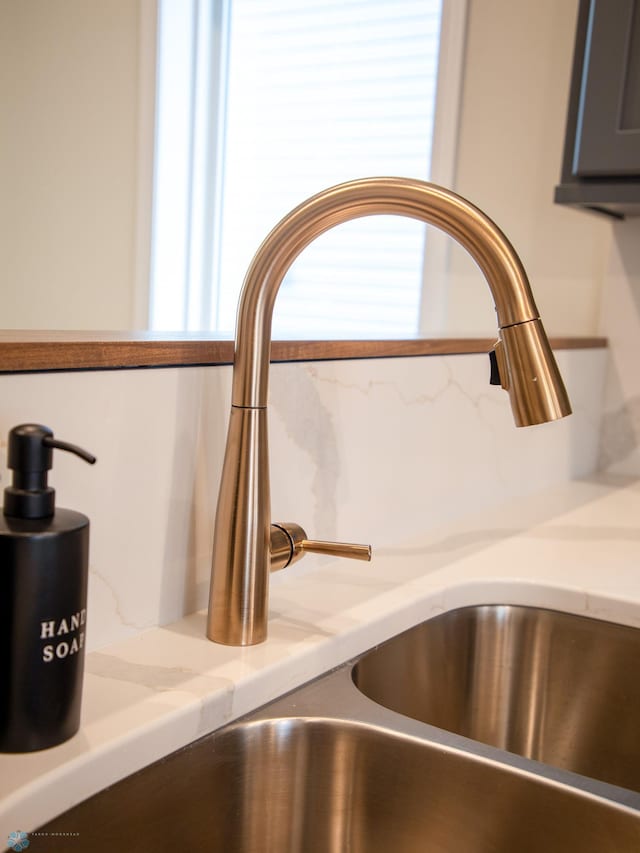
{"x":174,"y":236}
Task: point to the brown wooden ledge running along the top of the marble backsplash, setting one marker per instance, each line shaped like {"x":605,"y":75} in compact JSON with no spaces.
{"x":45,"y":351}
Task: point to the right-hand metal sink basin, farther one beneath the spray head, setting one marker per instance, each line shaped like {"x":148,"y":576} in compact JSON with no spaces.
{"x":557,"y":688}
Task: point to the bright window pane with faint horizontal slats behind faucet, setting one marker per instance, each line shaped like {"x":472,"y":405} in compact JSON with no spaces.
{"x":314,"y":93}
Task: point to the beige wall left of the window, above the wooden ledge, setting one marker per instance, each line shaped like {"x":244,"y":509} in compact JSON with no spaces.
{"x":68,"y":149}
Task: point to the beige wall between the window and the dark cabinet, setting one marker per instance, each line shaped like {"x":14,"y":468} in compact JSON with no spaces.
{"x":512,"y":125}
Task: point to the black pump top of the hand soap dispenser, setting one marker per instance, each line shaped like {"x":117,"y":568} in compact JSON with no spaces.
{"x":30,"y":457}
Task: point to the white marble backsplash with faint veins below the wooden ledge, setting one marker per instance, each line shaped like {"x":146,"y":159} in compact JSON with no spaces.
{"x":375,"y":451}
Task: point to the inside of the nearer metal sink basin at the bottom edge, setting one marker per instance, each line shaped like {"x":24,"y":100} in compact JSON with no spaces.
{"x":319,"y":786}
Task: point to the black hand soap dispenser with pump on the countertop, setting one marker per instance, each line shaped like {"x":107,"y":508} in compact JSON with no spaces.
{"x":44,"y":558}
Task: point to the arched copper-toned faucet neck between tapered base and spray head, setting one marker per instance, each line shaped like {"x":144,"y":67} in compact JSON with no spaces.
{"x":429,"y":203}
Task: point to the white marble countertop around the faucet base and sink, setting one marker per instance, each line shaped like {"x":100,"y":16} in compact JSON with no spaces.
{"x":576,"y":548}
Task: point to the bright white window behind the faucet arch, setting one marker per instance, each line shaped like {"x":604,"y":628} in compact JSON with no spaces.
{"x":260,"y":105}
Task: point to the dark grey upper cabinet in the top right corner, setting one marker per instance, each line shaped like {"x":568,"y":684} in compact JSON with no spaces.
{"x":601,"y":164}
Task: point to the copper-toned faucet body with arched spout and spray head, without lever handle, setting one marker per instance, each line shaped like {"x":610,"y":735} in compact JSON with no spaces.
{"x":241,"y":562}
